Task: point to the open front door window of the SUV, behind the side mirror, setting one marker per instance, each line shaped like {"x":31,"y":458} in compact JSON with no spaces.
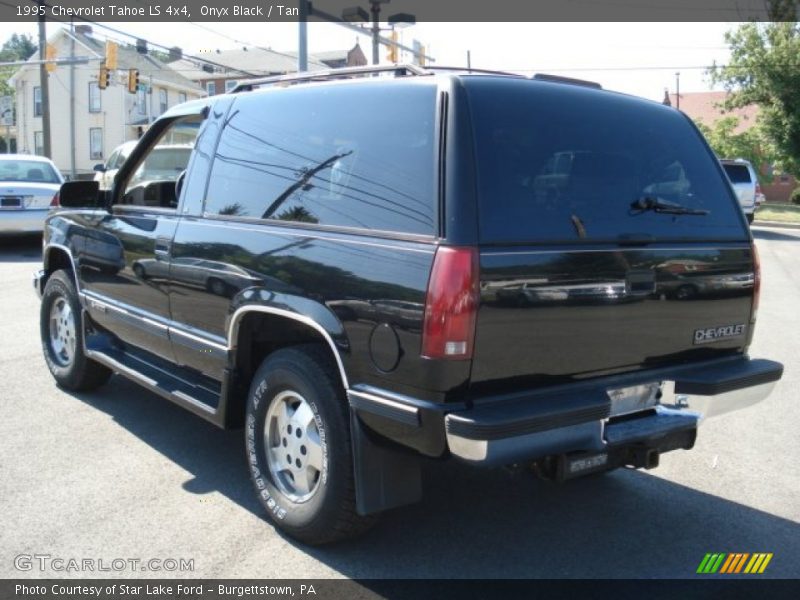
{"x":153,"y":181}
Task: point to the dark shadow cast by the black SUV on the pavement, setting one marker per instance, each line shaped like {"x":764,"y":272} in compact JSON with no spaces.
{"x":475,"y":523}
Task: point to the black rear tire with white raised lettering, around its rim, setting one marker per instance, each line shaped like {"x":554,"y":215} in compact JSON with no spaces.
{"x":329,"y":514}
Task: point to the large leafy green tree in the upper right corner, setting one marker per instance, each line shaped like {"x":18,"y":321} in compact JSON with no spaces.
{"x":764,"y":69}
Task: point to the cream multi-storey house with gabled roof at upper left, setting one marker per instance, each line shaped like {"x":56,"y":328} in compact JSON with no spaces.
{"x":103,"y":119}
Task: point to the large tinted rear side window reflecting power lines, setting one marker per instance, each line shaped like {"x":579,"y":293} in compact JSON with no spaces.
{"x":356,"y":155}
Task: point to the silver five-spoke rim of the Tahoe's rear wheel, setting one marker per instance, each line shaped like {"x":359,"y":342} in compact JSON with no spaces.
{"x":293,"y":446}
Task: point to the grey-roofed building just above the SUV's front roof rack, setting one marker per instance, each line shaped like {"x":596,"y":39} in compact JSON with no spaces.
{"x":220,"y":71}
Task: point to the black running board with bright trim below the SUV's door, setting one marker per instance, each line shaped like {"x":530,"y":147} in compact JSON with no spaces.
{"x":197,"y":399}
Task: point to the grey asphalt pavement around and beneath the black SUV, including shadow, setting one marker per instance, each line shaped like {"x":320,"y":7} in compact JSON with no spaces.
{"x":122,"y":474}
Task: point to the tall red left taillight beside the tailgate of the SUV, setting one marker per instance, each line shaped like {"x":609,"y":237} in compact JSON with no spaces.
{"x":451,"y":304}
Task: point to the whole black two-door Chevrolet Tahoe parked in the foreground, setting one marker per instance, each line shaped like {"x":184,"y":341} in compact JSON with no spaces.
{"x":366,"y":271}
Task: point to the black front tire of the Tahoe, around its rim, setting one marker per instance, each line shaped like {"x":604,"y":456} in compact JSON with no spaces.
{"x":74,"y":371}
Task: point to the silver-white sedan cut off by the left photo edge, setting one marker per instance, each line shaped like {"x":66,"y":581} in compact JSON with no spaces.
{"x":28,"y":189}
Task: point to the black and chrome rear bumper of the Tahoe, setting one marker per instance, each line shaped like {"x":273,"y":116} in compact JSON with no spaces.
{"x":574,"y":418}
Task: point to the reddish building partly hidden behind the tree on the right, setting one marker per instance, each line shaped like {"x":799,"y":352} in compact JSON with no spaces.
{"x":706,"y":108}
